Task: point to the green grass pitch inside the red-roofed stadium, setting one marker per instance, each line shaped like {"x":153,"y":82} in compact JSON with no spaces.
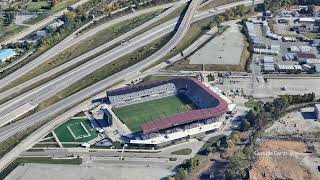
{"x":135,"y":115}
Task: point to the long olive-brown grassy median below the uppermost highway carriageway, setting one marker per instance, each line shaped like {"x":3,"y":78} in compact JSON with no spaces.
{"x":84,"y":46}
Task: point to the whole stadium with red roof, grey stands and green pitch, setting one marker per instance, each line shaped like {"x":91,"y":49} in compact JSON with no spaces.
{"x":169,"y":110}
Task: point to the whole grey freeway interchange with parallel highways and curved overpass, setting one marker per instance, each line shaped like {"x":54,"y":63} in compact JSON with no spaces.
{"x":74,"y":102}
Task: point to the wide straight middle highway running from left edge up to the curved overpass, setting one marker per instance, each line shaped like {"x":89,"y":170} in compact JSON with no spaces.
{"x":51,"y":88}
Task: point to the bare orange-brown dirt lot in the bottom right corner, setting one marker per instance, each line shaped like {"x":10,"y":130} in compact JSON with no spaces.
{"x":286,"y":162}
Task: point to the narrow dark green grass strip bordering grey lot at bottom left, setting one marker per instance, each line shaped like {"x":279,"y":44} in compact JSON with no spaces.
{"x":42,"y":160}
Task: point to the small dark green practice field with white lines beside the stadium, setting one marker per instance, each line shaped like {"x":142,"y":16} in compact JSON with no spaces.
{"x":76,"y":130}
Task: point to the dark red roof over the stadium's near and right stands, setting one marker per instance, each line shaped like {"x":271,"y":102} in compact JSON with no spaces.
{"x":187,"y":117}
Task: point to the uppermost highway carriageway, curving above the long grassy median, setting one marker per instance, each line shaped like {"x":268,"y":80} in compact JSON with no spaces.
{"x":72,"y":40}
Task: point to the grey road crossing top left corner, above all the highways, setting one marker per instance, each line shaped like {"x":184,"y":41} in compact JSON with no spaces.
{"x":39,"y":25}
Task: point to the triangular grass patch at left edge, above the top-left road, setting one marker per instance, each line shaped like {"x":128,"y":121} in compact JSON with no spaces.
{"x":7,"y":31}
